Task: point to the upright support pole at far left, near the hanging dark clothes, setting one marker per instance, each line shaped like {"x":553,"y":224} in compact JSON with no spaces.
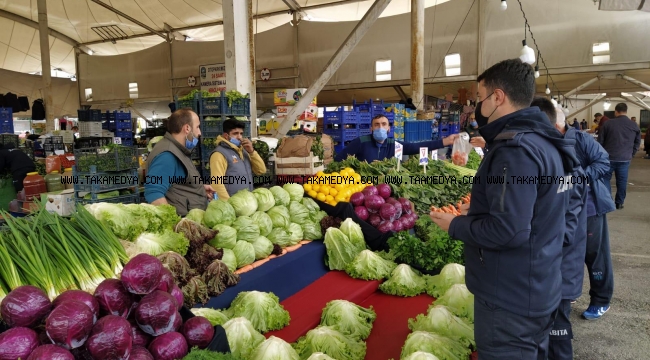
{"x":46,"y":69}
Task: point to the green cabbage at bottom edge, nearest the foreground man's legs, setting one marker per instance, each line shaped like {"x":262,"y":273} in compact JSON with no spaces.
{"x":438,"y":345}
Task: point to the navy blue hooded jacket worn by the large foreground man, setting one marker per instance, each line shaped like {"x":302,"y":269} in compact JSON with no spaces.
{"x":514,"y":231}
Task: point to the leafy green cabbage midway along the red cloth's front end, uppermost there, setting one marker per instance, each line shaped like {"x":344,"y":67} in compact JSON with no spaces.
{"x":348,"y":318}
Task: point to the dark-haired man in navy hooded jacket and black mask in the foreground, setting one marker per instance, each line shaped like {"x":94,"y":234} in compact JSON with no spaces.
{"x":514,"y":230}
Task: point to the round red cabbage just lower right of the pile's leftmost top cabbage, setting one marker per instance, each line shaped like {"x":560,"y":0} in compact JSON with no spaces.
{"x":69,"y":324}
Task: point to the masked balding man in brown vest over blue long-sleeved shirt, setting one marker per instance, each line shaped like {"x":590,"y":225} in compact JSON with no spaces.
{"x":170,"y":161}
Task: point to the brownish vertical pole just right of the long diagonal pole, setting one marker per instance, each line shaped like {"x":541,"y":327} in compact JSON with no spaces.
{"x":417,"y":53}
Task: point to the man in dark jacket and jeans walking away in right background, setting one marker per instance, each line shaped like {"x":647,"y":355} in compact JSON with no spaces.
{"x":621,"y":138}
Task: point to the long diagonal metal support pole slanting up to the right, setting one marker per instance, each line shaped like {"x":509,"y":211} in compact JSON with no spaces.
{"x":334,"y":63}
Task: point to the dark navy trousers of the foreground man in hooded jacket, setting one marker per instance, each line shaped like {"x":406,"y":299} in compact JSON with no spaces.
{"x":503,"y":335}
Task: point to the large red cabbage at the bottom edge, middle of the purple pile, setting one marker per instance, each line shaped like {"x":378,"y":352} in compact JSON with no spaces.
{"x":111,"y":339}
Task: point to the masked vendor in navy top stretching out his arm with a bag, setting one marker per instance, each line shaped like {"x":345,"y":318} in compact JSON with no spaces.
{"x":379,"y":147}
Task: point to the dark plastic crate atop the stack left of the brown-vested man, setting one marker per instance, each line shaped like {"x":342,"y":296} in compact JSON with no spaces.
{"x":119,"y":158}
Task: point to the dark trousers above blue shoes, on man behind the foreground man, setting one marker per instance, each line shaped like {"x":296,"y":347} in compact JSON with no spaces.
{"x":599,"y":261}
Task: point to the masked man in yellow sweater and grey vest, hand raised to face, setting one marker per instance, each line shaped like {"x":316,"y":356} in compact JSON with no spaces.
{"x":234,"y":161}
